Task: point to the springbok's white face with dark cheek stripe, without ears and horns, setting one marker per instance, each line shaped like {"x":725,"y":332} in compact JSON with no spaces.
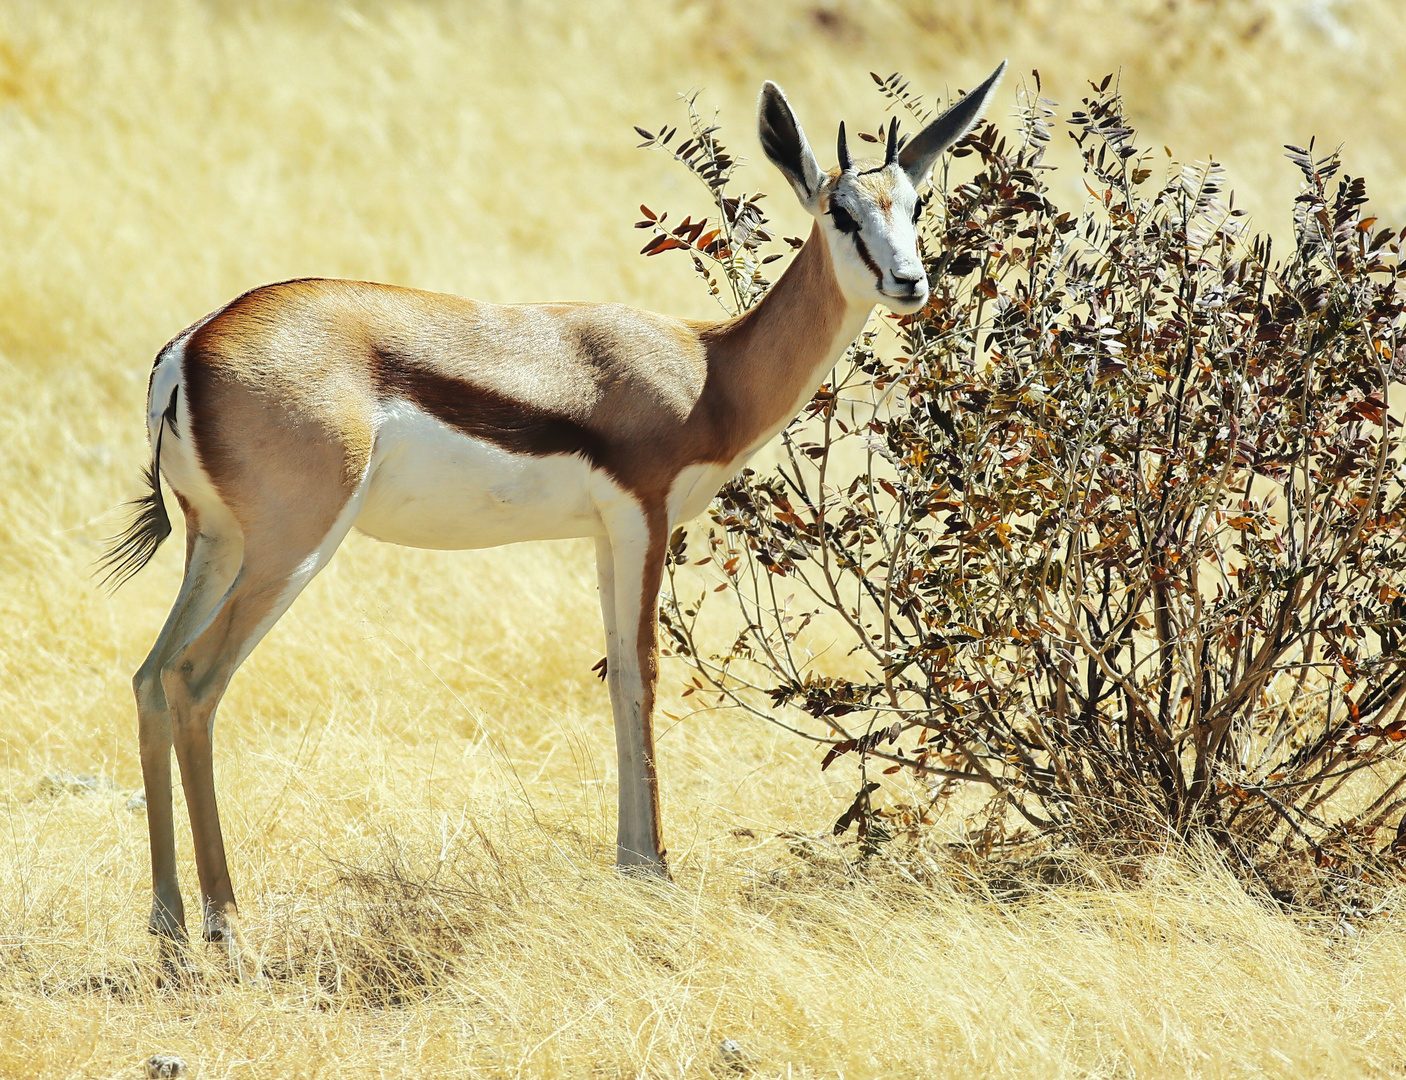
{"x":870,"y":217}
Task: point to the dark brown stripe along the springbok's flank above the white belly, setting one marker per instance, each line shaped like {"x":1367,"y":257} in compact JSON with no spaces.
{"x":484,"y":414}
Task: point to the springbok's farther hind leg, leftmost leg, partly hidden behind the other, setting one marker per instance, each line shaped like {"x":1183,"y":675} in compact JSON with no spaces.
{"x":212,"y":563}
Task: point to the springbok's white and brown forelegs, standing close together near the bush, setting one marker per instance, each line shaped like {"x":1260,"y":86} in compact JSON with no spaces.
{"x":636,"y":562}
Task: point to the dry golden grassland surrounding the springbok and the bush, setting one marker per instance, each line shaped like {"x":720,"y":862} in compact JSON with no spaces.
{"x":417,"y":767}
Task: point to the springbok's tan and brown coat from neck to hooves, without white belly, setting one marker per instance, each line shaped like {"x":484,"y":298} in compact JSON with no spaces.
{"x":285,"y":392}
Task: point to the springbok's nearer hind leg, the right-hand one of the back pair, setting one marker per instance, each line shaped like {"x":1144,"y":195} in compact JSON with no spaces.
{"x":195,"y":679}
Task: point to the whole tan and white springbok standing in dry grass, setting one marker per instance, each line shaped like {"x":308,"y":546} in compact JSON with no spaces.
{"x":304,"y":409}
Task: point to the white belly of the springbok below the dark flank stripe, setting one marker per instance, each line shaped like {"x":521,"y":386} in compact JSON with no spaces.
{"x":430,"y":486}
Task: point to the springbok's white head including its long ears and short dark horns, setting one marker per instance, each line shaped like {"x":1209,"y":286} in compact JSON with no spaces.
{"x":870,"y":210}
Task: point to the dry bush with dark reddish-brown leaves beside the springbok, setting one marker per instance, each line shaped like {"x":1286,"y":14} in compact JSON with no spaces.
{"x":1114,"y":532}
